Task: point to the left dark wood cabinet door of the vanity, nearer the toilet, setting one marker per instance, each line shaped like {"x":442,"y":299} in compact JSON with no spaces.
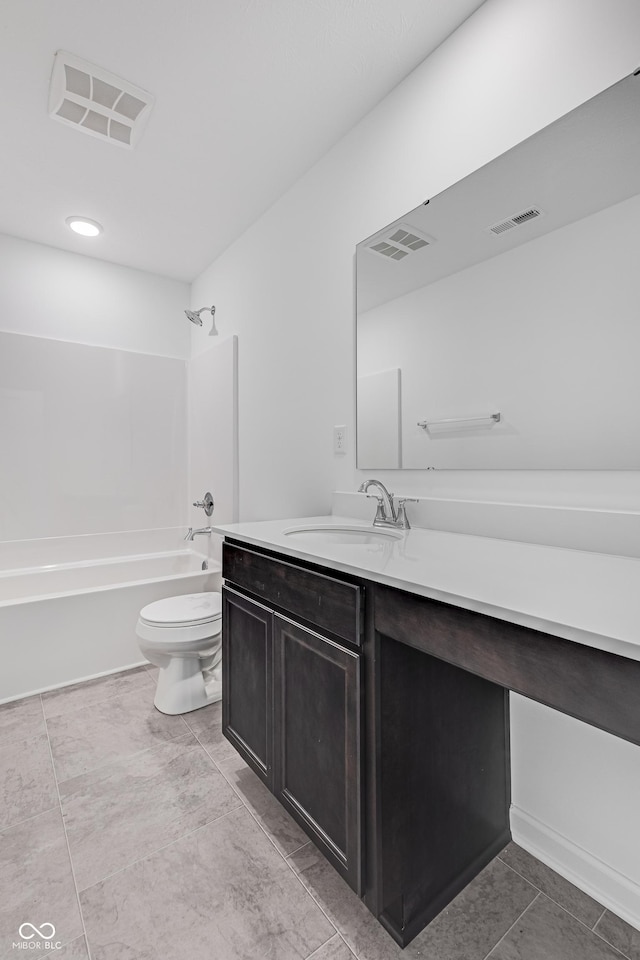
{"x":247,"y":676}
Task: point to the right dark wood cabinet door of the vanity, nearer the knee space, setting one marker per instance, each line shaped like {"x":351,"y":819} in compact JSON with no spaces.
{"x":317,"y":741}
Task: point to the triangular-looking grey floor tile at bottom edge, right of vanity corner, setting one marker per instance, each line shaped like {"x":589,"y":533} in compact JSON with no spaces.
{"x":547,"y":932}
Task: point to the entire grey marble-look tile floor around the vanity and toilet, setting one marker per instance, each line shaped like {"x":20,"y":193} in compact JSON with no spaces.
{"x":145,"y":837}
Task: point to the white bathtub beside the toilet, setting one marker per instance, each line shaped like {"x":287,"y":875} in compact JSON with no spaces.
{"x":74,"y":620}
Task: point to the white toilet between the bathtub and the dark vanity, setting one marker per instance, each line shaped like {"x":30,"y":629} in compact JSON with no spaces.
{"x":183,"y":636}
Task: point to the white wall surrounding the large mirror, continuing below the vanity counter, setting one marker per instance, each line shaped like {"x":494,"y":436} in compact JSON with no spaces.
{"x":287,"y":288}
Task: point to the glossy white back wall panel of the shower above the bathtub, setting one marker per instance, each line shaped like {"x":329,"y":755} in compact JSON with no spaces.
{"x":92,"y":439}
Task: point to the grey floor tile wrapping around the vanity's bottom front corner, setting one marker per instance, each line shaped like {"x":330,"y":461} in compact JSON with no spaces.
{"x":465,"y":930}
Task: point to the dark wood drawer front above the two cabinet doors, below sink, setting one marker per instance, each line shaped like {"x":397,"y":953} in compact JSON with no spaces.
{"x":323,"y":601}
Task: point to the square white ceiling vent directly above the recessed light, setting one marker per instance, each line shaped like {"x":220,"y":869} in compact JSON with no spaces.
{"x":96,"y":102}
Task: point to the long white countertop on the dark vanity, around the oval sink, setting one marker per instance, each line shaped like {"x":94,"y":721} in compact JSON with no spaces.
{"x":590,"y":598}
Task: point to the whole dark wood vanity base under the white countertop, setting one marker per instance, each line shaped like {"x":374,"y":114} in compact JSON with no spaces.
{"x":380,"y":719}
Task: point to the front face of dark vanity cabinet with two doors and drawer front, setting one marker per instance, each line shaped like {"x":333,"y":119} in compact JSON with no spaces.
{"x":292,"y":694}
